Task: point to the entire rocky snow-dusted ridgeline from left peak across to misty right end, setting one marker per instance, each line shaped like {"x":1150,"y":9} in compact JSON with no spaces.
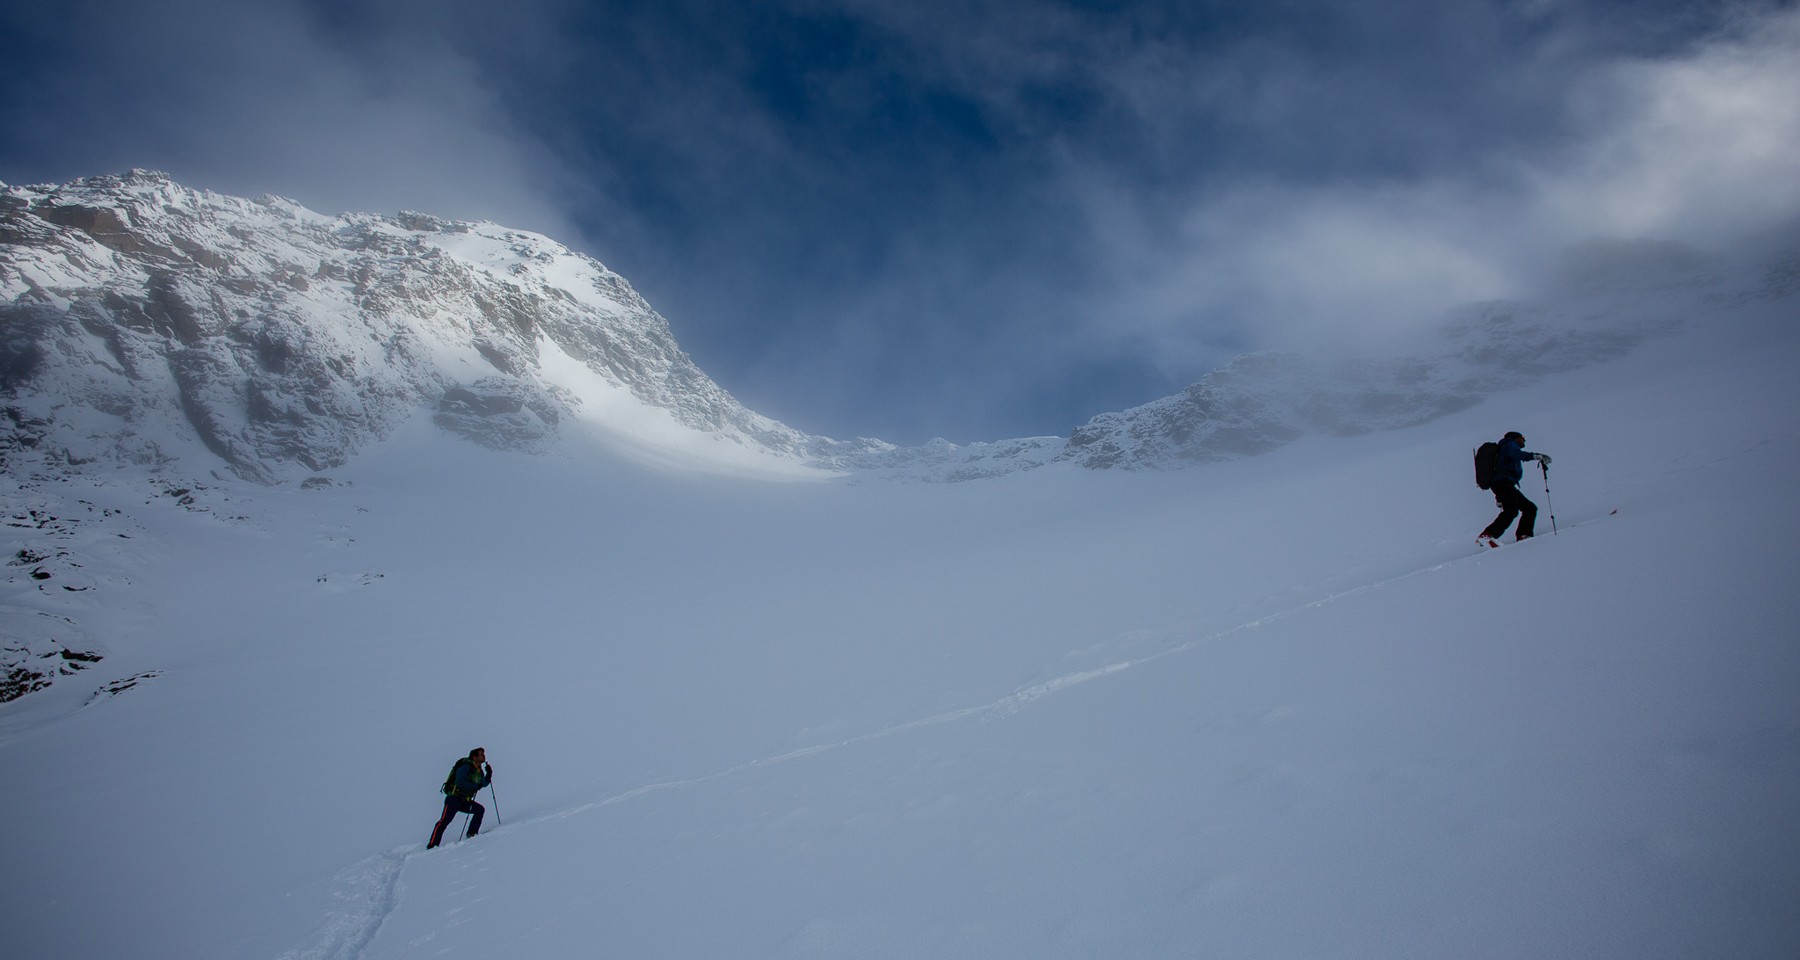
{"x":147,"y":323}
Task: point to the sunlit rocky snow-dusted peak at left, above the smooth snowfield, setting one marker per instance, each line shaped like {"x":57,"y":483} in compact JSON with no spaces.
{"x":143,"y":320}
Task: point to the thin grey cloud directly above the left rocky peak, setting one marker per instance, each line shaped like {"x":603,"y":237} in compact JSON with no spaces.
{"x":274,"y":98}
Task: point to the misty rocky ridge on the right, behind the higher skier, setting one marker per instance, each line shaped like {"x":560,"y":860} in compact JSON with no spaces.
{"x":1612,"y":298}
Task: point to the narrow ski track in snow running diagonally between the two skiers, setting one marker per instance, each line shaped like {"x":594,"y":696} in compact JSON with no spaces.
{"x":372,"y":887}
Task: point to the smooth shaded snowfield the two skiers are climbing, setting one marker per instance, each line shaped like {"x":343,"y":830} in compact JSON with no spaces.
{"x":1264,"y":709}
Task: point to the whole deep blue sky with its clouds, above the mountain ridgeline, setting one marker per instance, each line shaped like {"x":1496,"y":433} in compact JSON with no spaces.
{"x":946,"y":219}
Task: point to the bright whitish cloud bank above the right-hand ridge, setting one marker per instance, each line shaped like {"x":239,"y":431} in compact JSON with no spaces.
{"x":1698,"y":147}
